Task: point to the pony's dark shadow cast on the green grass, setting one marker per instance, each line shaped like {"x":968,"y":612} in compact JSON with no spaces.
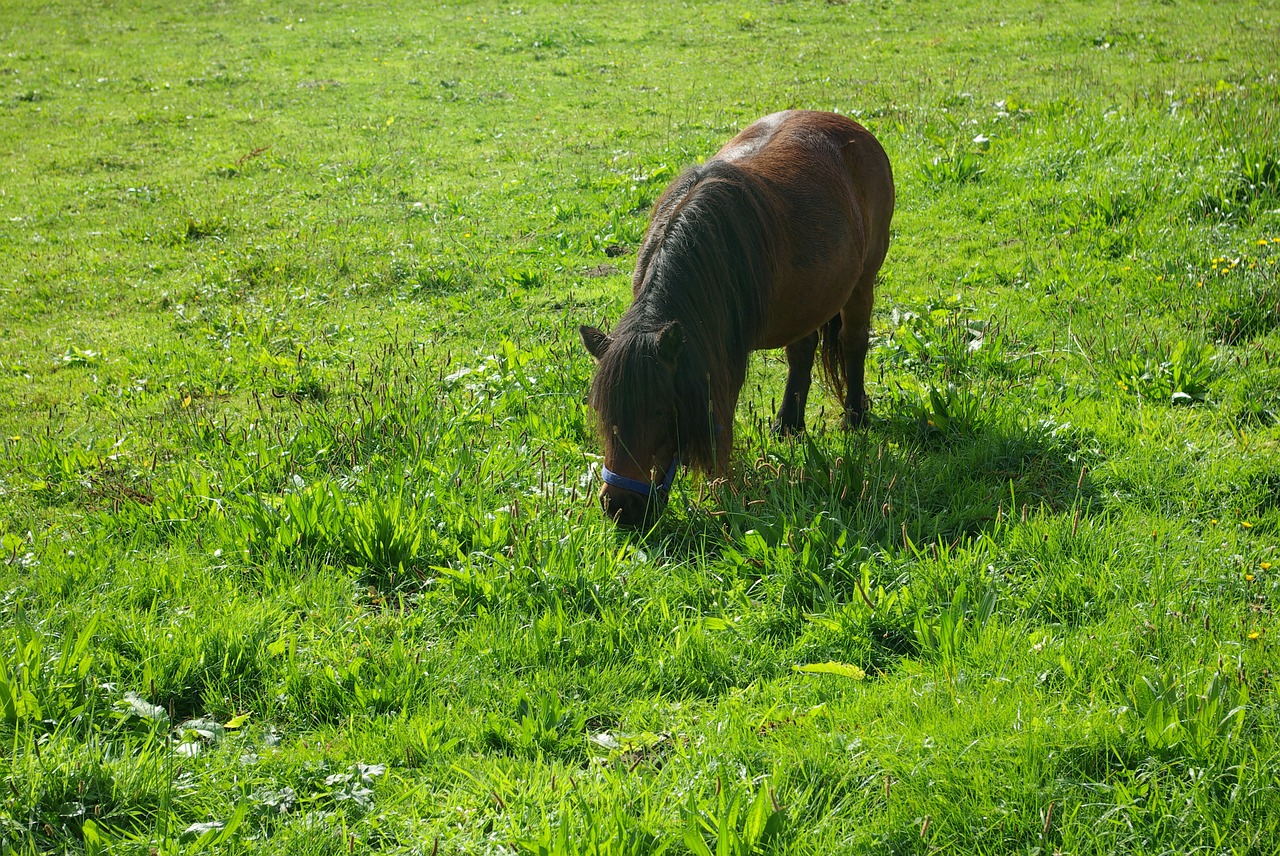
{"x":899,"y":482}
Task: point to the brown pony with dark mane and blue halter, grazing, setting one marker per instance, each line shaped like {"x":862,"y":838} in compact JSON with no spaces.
{"x":775,"y":240}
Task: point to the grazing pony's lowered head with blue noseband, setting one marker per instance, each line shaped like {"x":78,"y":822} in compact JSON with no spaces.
{"x":637,"y":399}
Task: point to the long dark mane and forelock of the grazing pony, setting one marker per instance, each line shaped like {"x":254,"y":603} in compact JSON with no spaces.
{"x":706,"y":264}
